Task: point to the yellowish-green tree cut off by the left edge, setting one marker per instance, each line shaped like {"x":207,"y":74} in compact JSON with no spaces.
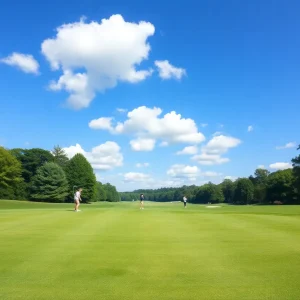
{"x":10,"y":174}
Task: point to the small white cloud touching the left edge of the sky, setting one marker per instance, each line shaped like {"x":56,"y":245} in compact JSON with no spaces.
{"x":24,"y":62}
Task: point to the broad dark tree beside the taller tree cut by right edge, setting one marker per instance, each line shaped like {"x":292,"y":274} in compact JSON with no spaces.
{"x":281,"y":186}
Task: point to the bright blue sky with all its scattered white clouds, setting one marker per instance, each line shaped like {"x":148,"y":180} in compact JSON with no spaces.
{"x":229,"y":65}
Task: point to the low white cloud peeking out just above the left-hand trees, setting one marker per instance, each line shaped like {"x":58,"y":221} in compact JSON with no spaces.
{"x":103,"y":157}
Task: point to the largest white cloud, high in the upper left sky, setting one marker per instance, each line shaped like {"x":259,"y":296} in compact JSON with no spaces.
{"x":108,"y":52}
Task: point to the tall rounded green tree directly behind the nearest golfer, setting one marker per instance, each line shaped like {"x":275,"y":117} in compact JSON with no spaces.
{"x":80,"y":175}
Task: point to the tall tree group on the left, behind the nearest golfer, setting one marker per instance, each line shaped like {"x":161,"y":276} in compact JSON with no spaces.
{"x":50,"y":176}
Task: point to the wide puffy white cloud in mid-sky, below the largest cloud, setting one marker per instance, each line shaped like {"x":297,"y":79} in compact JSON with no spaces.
{"x":146,"y":124}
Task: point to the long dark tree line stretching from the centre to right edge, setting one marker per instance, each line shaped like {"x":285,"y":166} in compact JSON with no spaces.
{"x":264,"y":187}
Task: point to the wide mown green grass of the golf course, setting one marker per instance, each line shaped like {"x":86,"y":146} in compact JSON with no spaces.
{"x":115,"y":251}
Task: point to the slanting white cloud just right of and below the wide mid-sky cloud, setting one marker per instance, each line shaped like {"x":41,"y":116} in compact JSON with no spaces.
{"x":211,"y":153}
